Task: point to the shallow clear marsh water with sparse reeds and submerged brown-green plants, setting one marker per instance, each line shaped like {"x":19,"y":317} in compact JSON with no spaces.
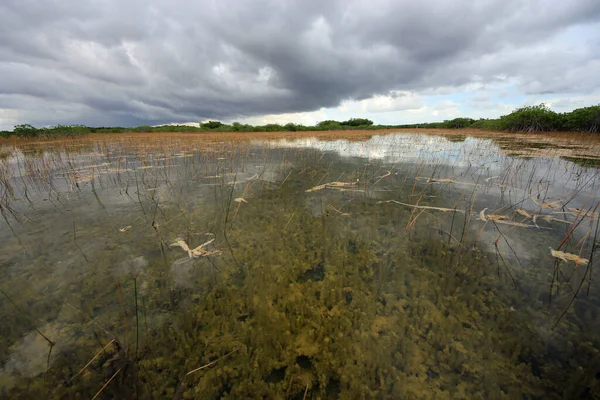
{"x":385,"y":266}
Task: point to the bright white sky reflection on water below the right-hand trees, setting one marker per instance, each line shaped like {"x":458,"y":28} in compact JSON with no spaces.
{"x":469,"y":161}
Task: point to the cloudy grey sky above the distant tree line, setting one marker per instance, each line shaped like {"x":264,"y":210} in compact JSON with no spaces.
{"x":130,"y":62}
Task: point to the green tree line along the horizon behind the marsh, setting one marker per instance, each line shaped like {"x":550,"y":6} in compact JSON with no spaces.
{"x":538,"y":118}
